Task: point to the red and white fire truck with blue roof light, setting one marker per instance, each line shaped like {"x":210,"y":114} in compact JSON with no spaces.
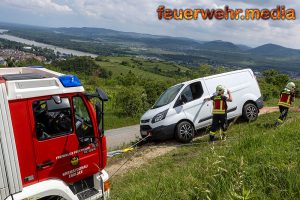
{"x":52,"y":144}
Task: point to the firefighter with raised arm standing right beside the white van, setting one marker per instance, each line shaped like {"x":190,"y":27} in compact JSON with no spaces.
{"x":219,"y":112}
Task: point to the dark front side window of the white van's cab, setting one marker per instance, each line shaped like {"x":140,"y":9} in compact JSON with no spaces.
{"x":193,"y":91}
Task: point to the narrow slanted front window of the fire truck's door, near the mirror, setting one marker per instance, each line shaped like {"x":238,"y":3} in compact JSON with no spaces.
{"x":83,"y":122}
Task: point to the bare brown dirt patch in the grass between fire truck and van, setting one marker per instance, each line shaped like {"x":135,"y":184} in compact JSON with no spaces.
{"x":137,"y":158}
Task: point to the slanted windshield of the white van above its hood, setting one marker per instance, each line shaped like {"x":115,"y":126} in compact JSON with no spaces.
{"x":168,"y":96}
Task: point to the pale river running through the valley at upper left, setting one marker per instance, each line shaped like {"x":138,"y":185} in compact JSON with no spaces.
{"x":43,"y":45}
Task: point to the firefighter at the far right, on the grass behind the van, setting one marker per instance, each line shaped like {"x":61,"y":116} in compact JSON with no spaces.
{"x":286,"y":98}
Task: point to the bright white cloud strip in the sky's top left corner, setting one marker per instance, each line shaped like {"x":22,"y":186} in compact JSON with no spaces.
{"x":39,"y":6}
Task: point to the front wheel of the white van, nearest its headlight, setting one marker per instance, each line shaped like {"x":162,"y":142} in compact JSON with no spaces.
{"x":184,"y":132}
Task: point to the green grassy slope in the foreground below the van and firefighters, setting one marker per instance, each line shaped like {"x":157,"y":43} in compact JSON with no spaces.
{"x":259,"y":162}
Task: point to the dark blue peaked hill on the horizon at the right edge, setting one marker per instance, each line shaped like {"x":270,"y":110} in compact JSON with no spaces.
{"x":274,"y":50}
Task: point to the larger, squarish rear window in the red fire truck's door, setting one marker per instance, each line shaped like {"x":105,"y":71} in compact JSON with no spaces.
{"x":51,"y":120}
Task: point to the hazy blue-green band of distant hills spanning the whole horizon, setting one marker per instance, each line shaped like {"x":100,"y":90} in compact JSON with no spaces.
{"x":187,"y":51}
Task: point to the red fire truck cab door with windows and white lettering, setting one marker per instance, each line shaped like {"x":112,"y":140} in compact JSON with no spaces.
{"x":62,"y":148}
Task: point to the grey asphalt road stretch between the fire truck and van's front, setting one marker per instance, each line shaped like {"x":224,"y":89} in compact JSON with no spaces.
{"x":122,"y":136}
